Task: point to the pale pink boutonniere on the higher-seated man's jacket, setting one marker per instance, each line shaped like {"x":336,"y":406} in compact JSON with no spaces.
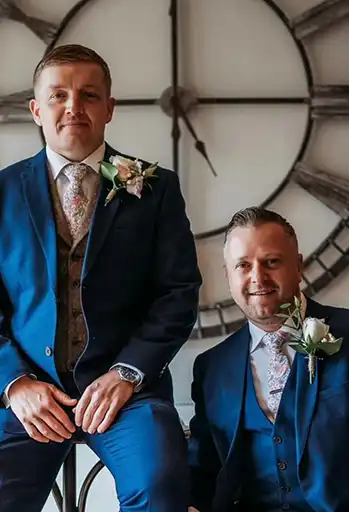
{"x":126,"y":174}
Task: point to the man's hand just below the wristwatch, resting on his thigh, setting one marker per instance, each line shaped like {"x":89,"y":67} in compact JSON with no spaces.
{"x":101,"y":401}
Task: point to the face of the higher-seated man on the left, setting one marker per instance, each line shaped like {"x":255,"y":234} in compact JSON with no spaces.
{"x":73,"y":106}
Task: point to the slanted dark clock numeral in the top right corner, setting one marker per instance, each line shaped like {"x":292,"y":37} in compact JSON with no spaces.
{"x":320,"y":17}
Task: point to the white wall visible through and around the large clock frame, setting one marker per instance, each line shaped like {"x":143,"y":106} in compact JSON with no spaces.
{"x":229,"y":47}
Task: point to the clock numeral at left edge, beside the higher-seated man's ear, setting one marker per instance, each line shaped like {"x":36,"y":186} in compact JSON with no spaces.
{"x":14,"y":107}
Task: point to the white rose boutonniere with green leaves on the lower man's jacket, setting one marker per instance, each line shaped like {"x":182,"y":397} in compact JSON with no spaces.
{"x":310,"y":335}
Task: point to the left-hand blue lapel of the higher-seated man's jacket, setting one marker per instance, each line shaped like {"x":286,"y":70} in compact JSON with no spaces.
{"x":38,"y":199}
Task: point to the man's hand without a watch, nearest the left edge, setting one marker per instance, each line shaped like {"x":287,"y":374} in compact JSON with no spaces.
{"x":35,"y":405}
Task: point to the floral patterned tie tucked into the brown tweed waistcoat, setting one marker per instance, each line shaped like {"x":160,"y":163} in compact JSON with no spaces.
{"x":74,"y":200}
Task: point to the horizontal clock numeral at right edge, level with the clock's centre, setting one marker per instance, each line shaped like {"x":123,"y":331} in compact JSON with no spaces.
{"x":330,"y":101}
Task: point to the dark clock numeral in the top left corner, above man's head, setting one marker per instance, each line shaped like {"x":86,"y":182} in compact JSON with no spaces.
{"x":45,"y":30}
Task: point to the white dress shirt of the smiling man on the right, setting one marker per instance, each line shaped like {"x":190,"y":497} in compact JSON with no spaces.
{"x":260,"y":355}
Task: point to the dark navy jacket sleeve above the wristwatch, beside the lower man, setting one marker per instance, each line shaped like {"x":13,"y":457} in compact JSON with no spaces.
{"x":177,"y":280}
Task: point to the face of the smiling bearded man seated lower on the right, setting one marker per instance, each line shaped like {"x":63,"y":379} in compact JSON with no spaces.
{"x":264,"y":271}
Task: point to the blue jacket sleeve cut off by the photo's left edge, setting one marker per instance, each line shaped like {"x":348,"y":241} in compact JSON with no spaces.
{"x":12,"y":365}
